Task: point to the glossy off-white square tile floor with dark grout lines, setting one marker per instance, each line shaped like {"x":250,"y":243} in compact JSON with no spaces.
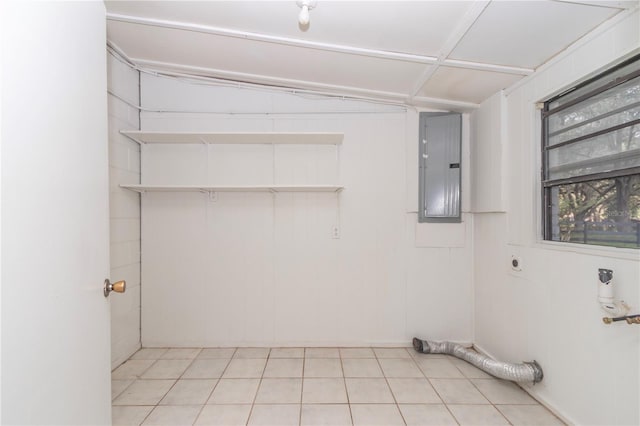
{"x":313,"y":386}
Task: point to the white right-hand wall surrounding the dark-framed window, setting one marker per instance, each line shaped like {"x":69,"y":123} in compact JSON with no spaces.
{"x":549,"y":311}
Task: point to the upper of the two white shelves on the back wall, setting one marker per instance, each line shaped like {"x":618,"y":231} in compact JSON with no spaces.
{"x":143,"y":137}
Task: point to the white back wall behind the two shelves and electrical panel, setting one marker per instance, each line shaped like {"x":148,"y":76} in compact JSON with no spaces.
{"x":257,"y":269}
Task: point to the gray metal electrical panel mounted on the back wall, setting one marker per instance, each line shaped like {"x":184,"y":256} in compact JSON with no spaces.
{"x":440,"y":142}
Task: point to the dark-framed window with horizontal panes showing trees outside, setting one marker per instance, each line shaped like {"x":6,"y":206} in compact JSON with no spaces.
{"x":591,"y":160}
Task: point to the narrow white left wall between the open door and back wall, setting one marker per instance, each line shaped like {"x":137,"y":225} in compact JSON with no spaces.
{"x":124,"y":211}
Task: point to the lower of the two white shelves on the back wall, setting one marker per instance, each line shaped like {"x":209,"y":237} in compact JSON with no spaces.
{"x":233,"y":188}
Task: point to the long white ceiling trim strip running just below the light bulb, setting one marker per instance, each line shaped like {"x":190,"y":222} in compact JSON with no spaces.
{"x":225,"y":32}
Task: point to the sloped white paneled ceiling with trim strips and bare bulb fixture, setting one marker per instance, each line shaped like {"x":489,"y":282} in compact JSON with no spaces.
{"x":444,"y":54}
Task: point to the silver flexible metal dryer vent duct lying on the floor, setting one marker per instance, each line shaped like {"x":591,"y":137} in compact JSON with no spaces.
{"x":525,"y":372}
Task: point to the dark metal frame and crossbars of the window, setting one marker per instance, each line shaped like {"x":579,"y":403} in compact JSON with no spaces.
{"x":546,"y":184}
